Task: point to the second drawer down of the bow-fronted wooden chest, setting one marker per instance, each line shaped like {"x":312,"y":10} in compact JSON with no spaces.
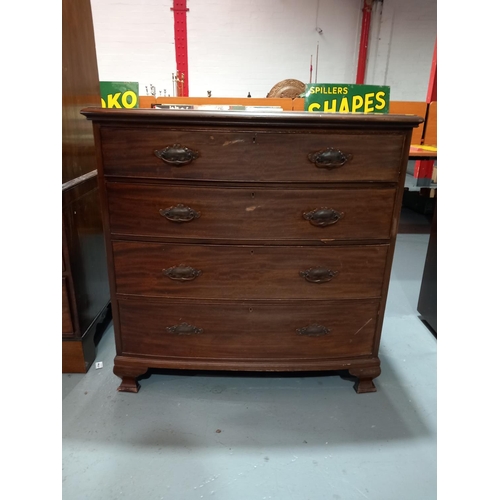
{"x":246,"y":214}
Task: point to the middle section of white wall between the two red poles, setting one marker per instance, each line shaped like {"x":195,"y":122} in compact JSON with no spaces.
{"x":237,"y":47}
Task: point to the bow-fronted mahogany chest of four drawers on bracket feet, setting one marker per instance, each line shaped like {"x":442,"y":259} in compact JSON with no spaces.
{"x":243,"y":241}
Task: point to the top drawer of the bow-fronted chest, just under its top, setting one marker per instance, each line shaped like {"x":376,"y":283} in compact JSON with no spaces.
{"x":256,"y":156}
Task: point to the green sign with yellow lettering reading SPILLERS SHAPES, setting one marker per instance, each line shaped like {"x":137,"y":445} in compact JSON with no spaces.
{"x":344,"y":98}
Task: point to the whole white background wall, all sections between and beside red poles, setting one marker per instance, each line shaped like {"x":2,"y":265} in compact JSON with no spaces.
{"x":236,"y":46}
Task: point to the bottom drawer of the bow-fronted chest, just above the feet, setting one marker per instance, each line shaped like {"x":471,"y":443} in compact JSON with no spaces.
{"x":249,"y":329}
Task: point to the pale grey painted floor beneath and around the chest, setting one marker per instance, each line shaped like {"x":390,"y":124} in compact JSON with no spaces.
{"x":236,"y":437}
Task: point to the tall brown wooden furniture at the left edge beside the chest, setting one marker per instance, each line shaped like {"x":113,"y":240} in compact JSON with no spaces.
{"x":85,"y":290}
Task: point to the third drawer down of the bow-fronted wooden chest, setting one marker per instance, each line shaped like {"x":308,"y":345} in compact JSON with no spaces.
{"x":249,"y":272}
